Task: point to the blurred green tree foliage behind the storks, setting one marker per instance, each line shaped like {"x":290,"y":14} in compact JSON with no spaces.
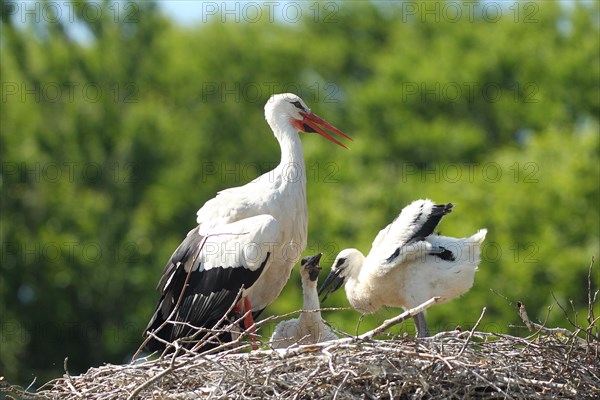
{"x":118,"y":123}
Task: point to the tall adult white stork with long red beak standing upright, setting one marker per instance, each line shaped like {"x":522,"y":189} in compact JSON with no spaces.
{"x":248,"y":237}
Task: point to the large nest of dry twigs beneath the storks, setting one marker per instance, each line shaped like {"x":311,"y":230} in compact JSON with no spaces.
{"x":449,"y":365}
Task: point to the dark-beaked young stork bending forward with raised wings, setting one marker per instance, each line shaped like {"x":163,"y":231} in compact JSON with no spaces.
{"x":408,"y":264}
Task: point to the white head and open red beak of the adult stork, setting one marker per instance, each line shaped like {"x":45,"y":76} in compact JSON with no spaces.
{"x":288,"y":110}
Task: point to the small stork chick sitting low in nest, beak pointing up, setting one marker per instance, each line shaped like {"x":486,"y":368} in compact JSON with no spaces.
{"x":308,"y":328}
